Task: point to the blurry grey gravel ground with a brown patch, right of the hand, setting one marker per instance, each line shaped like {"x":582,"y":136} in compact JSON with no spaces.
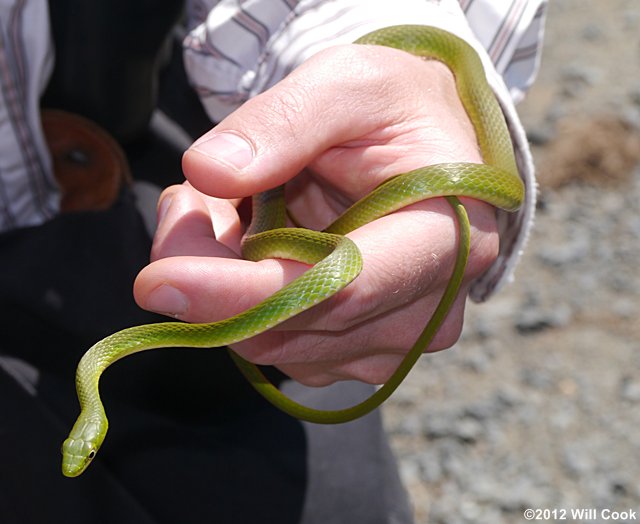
{"x":538,"y":405}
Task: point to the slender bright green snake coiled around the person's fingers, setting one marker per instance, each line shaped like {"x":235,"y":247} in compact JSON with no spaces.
{"x":335,"y":258}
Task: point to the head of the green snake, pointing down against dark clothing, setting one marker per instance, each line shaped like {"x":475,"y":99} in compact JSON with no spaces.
{"x":82,"y":445}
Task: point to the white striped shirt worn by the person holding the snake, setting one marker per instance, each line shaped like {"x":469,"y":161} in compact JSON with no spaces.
{"x":236,"y":49}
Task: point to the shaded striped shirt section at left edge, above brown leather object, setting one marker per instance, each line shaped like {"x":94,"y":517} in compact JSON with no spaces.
{"x":28,"y":192}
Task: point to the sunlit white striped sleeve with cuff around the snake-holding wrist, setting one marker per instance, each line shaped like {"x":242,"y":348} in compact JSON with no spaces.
{"x":238,"y":49}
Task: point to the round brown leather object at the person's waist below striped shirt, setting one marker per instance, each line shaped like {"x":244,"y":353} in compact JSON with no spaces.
{"x":88,"y":163}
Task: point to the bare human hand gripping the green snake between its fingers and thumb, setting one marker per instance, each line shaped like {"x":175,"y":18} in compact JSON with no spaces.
{"x":347,"y":119}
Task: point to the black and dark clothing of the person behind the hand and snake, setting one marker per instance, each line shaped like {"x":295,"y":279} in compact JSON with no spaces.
{"x":189,"y":439}
